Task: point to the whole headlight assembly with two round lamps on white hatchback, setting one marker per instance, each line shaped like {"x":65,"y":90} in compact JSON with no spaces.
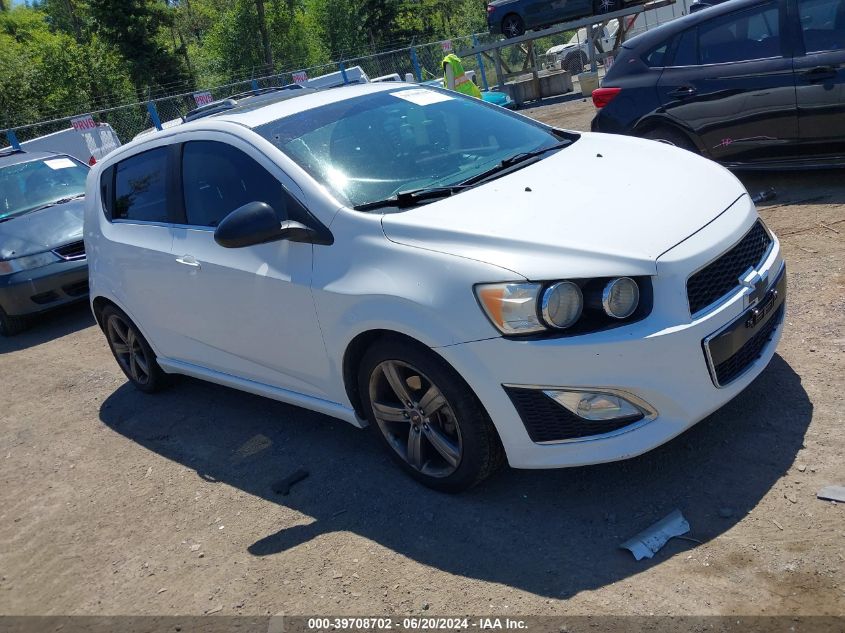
{"x":569,"y":307}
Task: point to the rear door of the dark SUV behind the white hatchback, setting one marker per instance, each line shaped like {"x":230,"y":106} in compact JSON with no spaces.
{"x":730,"y":82}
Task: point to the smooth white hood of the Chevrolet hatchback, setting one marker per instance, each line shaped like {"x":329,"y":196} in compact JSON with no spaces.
{"x":606,"y":205}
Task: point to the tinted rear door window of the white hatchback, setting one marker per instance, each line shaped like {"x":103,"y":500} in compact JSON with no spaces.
{"x":141,"y":188}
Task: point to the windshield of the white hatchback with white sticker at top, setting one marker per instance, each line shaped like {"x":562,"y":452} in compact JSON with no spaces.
{"x":372,"y":147}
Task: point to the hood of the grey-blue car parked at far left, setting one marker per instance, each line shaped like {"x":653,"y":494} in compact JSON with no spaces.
{"x":42,"y":230}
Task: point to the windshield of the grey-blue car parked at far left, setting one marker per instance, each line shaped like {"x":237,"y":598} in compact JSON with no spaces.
{"x":35,"y":184}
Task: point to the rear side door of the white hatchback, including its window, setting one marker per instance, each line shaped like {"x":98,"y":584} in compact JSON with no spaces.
{"x":137,"y":196}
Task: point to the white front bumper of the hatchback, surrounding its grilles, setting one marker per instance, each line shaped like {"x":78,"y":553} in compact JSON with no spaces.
{"x":660,"y":360}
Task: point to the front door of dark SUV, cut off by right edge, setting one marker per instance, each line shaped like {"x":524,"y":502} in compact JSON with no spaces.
{"x":820,"y":76}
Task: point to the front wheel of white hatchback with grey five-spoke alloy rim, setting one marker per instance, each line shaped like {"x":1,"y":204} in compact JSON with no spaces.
{"x":432,"y":423}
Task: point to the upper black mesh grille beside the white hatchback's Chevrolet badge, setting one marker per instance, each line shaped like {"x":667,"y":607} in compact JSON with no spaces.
{"x":718,"y":278}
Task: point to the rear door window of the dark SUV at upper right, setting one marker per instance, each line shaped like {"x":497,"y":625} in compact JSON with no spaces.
{"x":741,"y":36}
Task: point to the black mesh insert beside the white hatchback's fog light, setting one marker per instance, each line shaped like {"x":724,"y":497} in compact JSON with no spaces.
{"x":547,"y":421}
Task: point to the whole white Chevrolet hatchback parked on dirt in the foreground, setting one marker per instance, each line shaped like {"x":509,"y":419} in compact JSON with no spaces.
{"x":439,"y":268}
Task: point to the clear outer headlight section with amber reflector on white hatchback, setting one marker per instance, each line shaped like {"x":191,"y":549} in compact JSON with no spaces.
{"x":512,"y":308}
